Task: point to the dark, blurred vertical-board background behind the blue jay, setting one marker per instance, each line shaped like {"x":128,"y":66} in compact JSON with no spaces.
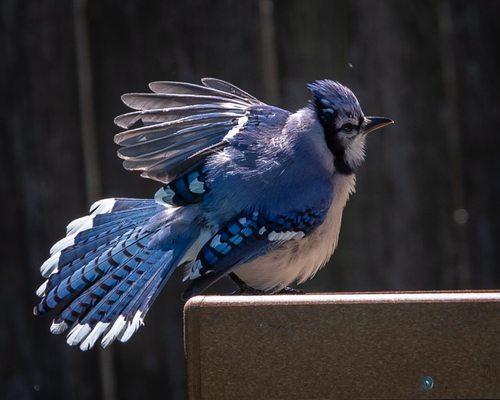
{"x":427,"y":211}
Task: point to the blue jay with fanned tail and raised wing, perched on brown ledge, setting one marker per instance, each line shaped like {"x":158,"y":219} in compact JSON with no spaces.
{"x":250,"y":191}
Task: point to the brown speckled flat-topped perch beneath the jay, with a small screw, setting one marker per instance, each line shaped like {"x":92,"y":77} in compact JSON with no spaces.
{"x":429,"y":345}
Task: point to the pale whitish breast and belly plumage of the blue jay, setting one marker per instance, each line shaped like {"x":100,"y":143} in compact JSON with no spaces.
{"x":299,"y":260}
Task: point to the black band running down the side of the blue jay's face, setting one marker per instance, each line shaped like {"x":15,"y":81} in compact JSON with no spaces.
{"x":327,"y":118}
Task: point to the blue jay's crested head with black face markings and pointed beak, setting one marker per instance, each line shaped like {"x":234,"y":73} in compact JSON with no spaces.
{"x":344,"y":124}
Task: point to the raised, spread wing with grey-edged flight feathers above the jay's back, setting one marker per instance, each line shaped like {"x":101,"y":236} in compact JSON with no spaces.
{"x":179,"y":124}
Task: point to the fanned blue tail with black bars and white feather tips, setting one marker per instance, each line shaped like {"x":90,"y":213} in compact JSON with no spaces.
{"x":105,"y":274}
